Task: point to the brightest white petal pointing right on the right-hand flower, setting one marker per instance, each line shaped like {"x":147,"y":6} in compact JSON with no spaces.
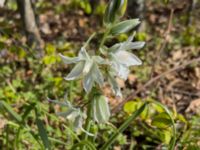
{"x":127,"y":58}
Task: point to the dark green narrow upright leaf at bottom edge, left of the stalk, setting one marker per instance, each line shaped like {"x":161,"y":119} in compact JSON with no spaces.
{"x":42,"y":133}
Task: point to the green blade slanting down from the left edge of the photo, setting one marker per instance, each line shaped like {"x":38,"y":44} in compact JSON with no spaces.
{"x":10,"y":111}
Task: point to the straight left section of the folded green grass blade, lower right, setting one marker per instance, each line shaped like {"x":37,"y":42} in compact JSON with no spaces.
{"x":124,"y":126}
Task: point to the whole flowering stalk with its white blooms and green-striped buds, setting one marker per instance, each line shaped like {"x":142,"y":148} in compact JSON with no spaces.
{"x":107,"y":64}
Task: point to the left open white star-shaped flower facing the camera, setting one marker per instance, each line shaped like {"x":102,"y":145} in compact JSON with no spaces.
{"x":87,"y":67}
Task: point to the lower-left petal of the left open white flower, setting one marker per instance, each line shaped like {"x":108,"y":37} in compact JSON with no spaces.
{"x":76,"y":71}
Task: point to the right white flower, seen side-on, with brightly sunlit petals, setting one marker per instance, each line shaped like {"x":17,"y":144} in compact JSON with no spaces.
{"x":121,"y":59}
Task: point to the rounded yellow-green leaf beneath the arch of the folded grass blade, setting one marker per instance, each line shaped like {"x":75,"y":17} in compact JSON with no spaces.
{"x":161,"y":120}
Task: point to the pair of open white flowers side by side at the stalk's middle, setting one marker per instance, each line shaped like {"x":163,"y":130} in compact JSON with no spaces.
{"x":118,"y":59}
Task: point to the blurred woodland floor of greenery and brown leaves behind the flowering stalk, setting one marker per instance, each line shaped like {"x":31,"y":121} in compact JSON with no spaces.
{"x":31,"y":71}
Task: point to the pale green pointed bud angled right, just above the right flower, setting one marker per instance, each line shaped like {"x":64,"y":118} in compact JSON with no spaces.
{"x":124,"y":26}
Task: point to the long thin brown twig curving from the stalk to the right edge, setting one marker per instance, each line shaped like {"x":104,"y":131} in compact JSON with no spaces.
{"x":132,"y":95}
